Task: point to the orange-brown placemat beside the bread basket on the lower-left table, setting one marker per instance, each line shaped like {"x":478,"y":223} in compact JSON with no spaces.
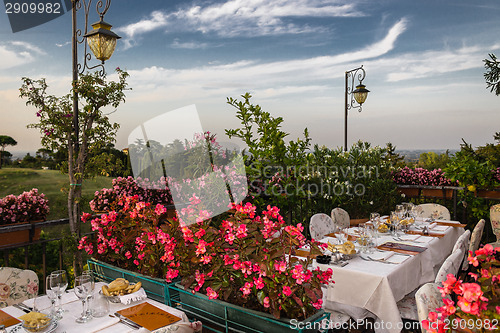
{"x":149,"y":316}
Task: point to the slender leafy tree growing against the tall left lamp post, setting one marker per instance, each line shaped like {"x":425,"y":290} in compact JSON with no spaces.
{"x":56,"y":125}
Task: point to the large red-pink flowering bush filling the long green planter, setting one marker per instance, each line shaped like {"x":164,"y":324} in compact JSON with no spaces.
{"x":245,"y":261}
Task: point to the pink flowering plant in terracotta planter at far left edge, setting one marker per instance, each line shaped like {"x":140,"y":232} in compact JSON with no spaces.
{"x":27,"y":208}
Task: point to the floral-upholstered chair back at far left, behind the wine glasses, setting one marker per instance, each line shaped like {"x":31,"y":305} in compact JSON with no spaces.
{"x":17,"y":285}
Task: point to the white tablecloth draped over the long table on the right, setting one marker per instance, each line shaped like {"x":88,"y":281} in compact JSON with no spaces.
{"x":372,"y":289}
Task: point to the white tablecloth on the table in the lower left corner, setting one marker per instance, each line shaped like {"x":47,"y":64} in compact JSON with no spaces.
{"x":73,"y":309}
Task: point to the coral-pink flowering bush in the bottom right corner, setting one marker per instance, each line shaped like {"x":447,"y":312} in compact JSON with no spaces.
{"x":475,"y":305}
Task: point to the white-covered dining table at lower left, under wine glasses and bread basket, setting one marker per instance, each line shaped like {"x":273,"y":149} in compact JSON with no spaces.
{"x":109,"y":323}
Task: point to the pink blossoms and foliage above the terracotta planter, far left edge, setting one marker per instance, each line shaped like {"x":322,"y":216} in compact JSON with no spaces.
{"x":28,"y":206}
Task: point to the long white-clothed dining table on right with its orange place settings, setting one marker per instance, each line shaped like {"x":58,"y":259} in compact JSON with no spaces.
{"x":370,"y":285}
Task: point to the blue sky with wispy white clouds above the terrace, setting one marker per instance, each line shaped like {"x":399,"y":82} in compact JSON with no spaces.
{"x":423,"y":61}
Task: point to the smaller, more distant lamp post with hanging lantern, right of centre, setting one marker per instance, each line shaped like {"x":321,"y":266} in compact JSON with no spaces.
{"x":356,"y":96}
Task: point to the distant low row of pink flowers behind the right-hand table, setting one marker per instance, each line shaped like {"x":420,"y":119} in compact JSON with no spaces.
{"x":421,"y":176}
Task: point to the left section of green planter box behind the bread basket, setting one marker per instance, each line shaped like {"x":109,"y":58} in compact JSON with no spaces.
{"x":157,"y":289}
